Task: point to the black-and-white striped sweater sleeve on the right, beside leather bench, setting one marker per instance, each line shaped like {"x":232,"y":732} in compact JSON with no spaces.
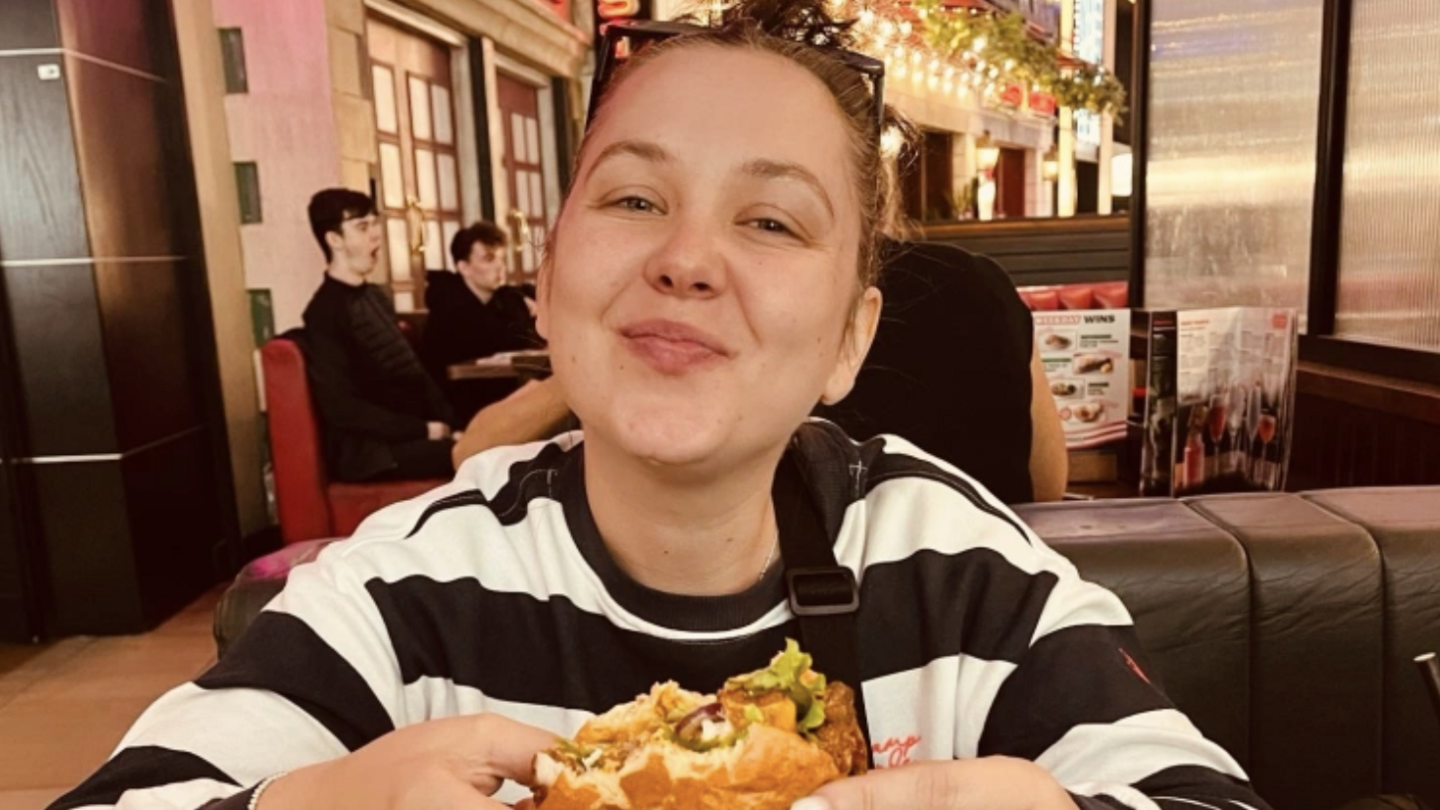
{"x":1081,"y":703}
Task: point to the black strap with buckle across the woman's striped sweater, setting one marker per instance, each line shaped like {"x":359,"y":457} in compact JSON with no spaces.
{"x":826,"y":600}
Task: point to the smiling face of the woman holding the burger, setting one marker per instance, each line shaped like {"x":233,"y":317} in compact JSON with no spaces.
{"x":703,"y":270}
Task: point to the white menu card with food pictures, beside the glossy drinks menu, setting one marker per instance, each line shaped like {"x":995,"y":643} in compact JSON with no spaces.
{"x":1088,"y":364}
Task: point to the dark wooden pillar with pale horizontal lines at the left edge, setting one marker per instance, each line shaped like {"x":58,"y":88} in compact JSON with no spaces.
{"x":107,"y":316}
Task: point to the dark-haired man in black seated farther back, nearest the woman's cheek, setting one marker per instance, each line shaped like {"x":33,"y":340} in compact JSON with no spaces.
{"x":474,"y":315}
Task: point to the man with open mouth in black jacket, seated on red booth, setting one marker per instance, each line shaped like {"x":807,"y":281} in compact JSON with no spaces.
{"x":381,"y":414}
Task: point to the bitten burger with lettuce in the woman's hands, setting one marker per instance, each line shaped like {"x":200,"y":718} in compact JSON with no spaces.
{"x":764,"y":742}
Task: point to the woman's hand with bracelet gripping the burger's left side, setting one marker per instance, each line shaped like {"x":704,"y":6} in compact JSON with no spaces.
{"x":453,"y":763}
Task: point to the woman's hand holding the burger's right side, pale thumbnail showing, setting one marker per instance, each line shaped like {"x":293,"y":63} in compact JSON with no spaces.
{"x":991,"y":783}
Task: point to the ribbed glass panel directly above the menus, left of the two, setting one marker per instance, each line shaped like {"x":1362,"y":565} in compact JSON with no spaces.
{"x":1235,"y":97}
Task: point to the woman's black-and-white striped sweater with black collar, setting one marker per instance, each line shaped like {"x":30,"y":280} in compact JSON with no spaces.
{"x":496,"y":595}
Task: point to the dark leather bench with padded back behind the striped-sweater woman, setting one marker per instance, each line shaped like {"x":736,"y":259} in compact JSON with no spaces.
{"x":1285,"y":626}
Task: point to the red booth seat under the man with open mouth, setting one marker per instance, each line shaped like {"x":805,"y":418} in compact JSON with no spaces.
{"x":310,"y":505}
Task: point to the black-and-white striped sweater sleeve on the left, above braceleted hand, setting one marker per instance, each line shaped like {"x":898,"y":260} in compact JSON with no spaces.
{"x":313,"y":680}
